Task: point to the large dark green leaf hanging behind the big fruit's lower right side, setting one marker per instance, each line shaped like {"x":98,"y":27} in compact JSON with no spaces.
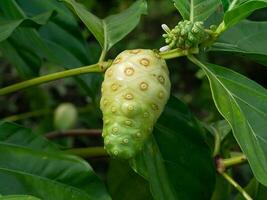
{"x":176,"y":161}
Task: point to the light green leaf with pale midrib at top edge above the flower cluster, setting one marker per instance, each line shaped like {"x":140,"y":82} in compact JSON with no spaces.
{"x":196,"y":10}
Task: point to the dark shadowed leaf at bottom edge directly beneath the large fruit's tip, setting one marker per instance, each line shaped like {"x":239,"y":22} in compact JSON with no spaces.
{"x":124,"y":183}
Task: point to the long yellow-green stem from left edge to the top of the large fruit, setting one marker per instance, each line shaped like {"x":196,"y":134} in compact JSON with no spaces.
{"x":51,"y":77}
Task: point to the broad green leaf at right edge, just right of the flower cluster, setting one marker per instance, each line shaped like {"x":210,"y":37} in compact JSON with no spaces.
{"x":246,"y":38}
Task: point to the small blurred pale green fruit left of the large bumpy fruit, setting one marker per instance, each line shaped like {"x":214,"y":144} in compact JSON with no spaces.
{"x":65,"y":116}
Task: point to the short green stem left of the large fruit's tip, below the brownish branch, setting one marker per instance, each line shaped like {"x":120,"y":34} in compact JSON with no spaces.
{"x":88,"y":152}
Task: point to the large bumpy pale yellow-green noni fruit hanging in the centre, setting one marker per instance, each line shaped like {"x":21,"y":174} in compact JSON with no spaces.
{"x":134,"y":92}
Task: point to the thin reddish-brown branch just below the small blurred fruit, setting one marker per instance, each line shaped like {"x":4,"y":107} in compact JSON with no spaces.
{"x":73,"y":133}
